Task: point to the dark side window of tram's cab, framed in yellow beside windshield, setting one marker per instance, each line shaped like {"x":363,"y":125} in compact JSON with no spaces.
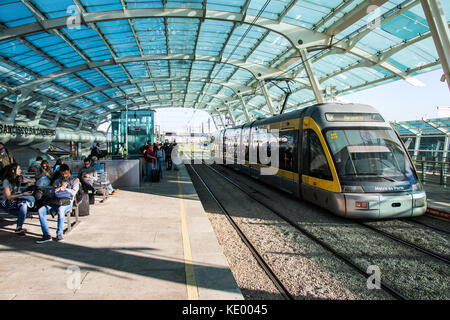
{"x":315,"y":162}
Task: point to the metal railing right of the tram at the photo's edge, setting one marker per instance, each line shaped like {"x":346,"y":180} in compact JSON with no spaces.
{"x":433,"y":172}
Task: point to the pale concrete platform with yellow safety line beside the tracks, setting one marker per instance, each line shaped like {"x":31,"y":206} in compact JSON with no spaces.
{"x":150,"y":242}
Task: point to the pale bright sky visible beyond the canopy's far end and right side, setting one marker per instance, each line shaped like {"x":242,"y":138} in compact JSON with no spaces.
{"x":396,"y":101}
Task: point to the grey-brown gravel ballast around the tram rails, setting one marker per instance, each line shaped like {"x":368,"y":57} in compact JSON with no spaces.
{"x":310,"y":271}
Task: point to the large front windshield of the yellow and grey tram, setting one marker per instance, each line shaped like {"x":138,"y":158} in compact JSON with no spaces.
{"x":369,"y":154}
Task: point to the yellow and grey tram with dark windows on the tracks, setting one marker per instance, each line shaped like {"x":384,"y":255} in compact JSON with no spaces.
{"x":343,"y":157}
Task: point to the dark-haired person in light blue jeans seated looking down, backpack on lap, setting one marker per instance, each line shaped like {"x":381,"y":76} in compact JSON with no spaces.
{"x":65,"y":185}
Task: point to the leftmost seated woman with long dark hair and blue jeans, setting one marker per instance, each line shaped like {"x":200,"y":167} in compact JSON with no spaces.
{"x":11,"y":183}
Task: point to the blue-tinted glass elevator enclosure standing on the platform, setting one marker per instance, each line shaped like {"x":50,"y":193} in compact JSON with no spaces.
{"x":140,"y":129}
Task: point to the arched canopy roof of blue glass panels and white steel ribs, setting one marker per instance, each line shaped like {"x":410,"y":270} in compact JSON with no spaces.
{"x":80,"y":60}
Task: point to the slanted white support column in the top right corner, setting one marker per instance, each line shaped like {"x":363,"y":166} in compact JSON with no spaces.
{"x":438,"y":25}
